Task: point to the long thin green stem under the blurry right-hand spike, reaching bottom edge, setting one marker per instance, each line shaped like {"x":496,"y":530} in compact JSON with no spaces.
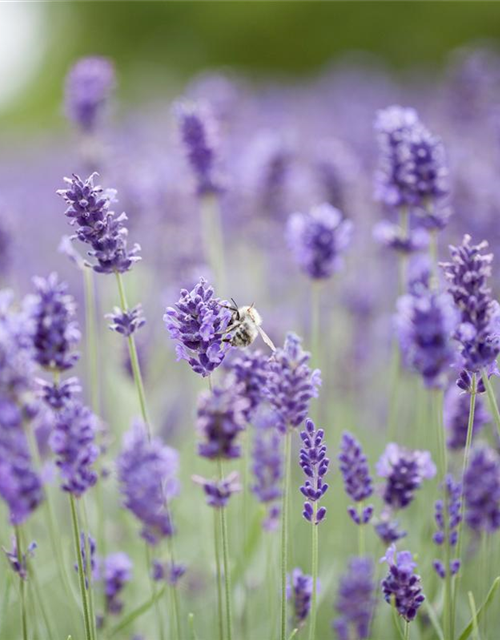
{"x":449,"y":626}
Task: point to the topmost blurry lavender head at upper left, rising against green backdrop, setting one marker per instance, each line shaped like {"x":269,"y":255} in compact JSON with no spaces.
{"x":88,"y":88}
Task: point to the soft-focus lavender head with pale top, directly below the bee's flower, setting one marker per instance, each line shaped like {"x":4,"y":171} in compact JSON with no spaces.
{"x":221,"y":417}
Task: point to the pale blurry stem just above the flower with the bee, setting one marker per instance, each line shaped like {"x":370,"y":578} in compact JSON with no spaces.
{"x":212,"y":234}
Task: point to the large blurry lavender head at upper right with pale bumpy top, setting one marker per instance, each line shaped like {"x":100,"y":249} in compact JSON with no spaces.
{"x":412,"y":165}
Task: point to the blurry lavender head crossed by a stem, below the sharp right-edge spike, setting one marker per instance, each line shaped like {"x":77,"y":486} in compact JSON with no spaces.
{"x":456,"y":417}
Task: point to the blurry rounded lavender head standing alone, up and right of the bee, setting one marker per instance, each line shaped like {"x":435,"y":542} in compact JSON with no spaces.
{"x":318,"y":239}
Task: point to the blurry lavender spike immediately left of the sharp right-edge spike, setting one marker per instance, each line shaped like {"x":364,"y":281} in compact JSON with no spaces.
{"x":425,"y":324}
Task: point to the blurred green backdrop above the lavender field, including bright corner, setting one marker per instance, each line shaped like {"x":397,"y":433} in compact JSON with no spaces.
{"x":156,"y":45}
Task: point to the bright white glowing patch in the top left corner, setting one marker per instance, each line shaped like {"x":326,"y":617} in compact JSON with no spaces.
{"x":22,"y":44}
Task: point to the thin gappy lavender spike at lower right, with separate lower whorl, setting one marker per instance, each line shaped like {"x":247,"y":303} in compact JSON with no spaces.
{"x":449,"y":519}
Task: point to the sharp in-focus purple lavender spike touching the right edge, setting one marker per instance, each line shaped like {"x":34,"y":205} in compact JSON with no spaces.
{"x":479,"y":330}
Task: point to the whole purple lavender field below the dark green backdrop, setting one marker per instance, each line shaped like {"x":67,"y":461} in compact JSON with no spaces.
{"x":249,"y":334}
